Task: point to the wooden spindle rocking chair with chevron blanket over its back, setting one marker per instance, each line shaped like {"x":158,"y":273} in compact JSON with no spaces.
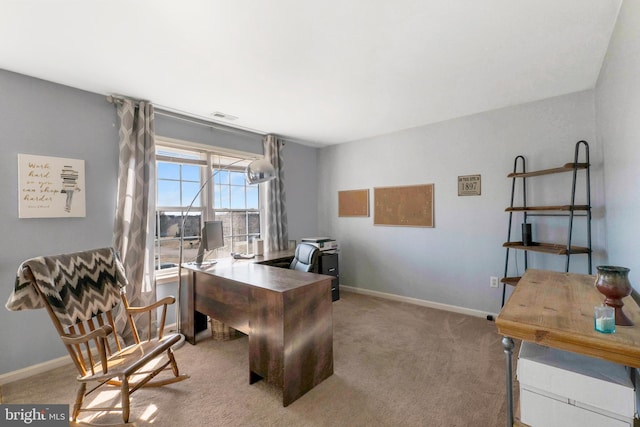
{"x":82,"y":291}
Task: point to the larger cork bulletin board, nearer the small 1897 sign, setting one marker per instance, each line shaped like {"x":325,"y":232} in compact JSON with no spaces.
{"x":410,"y":206}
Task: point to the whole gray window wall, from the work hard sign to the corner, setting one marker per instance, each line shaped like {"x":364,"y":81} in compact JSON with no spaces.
{"x":43,"y":118}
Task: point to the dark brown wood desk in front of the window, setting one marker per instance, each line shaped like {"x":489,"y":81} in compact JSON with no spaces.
{"x":287,"y":315}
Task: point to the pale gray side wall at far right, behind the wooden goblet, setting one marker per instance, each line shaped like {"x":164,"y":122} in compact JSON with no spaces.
{"x":618,"y":114}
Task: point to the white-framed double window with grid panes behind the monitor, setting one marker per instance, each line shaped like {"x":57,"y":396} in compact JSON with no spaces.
{"x":182,"y":194}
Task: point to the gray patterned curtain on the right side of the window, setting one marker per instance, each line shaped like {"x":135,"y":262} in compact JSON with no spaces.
{"x":276,"y":233}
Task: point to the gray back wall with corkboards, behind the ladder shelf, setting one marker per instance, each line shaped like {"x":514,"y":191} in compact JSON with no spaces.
{"x":452,"y":262}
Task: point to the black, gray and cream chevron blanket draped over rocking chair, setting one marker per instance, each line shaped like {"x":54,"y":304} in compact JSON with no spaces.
{"x":77,"y":285}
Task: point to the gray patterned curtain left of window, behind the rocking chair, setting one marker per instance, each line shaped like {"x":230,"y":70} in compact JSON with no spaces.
{"x":135,"y":209}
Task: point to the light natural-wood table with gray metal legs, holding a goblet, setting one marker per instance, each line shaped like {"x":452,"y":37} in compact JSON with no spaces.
{"x":556,"y":310}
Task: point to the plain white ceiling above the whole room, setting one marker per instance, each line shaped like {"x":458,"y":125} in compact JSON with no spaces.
{"x":320,"y":72}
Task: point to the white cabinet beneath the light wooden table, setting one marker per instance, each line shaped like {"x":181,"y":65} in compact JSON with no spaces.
{"x":559,"y":388}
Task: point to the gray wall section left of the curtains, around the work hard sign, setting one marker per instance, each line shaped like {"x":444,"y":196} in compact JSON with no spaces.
{"x":41,"y":118}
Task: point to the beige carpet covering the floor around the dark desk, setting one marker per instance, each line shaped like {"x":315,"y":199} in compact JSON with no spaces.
{"x":395,"y":364}
